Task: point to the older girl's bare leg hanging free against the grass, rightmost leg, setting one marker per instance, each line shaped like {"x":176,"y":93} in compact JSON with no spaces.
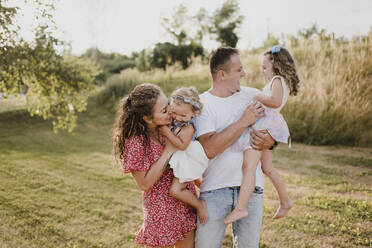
{"x":279,"y":184}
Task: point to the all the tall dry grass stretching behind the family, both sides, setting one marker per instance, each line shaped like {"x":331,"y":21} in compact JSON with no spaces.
{"x":333,"y":106}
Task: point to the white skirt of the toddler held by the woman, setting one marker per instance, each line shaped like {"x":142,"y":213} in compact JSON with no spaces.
{"x":191,"y":163}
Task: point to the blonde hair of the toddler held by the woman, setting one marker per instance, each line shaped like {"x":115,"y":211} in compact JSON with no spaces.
{"x":188,"y":95}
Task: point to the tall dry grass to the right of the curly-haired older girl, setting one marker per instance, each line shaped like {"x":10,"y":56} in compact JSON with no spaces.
{"x":334,"y":103}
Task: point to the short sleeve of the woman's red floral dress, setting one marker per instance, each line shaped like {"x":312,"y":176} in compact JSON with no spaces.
{"x":134,"y":158}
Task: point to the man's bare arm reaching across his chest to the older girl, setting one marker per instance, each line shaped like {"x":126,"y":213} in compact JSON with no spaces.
{"x":215,"y":143}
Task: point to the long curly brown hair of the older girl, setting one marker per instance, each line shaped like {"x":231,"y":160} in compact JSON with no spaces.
{"x":284,"y":65}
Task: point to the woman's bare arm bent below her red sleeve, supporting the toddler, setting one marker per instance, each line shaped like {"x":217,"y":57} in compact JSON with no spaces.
{"x":146,"y":179}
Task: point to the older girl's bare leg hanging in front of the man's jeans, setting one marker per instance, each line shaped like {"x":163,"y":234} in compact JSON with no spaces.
{"x":251,"y":158}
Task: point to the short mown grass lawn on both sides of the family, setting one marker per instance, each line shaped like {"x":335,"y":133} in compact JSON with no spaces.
{"x":64,"y":190}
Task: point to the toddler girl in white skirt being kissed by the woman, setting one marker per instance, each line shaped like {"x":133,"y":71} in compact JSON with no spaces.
{"x":190,"y":161}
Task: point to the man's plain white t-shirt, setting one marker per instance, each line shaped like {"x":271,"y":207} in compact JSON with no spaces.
{"x":218,"y":113}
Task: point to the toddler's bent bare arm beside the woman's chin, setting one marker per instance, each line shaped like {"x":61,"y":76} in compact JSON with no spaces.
{"x":182,"y":140}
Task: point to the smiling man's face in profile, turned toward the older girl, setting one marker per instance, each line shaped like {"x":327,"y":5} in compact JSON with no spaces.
{"x":234,"y":73}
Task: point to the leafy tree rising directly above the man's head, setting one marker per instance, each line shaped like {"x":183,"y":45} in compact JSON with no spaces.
{"x":225,"y":22}
